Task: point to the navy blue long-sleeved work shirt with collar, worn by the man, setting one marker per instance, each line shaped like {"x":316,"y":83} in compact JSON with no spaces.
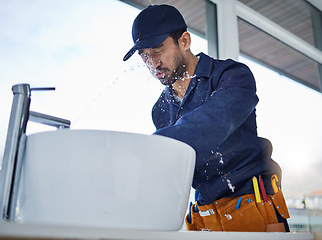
{"x":217,"y":118}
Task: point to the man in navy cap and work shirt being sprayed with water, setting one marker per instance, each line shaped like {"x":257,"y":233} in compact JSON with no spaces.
{"x":210,"y":105}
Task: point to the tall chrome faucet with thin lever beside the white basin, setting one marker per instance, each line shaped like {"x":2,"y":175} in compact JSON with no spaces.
{"x":15,"y":145}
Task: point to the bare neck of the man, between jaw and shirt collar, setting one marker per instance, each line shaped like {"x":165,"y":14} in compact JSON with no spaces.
{"x":181,"y":85}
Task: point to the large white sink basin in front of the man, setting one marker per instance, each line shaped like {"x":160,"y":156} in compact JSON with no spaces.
{"x":105,"y":179}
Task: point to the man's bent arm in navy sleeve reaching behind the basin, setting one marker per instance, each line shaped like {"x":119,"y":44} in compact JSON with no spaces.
{"x":226,"y":109}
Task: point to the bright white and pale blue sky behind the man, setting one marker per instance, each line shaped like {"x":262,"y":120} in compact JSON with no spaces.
{"x":78,"y":46}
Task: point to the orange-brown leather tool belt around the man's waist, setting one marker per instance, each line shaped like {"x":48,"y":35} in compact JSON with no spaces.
{"x":251,"y":216}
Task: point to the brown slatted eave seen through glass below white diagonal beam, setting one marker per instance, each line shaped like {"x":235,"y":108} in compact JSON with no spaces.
{"x":271,"y":52}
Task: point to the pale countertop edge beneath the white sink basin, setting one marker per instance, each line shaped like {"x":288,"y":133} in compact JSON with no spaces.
{"x":9,"y":230}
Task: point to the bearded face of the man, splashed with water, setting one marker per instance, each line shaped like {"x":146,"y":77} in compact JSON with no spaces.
{"x":165,"y":61}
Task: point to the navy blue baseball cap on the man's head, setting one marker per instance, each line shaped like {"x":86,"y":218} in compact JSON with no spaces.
{"x":153,"y":25}
